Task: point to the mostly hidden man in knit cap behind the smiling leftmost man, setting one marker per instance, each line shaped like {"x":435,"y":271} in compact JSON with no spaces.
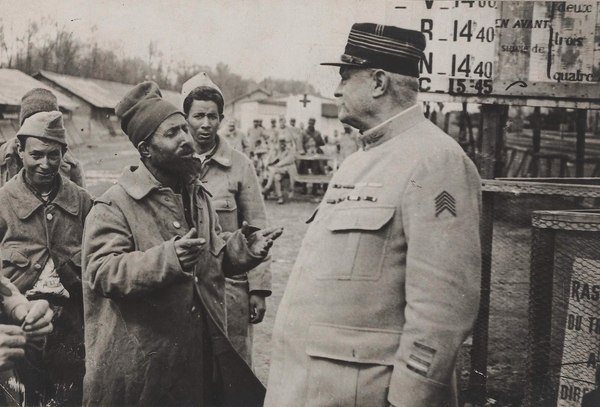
{"x":35,"y":101}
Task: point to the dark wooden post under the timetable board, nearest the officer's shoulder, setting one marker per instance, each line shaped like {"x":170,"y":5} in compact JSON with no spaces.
{"x":492,"y":143}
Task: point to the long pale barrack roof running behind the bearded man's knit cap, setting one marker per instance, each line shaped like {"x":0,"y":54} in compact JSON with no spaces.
{"x":97,"y":92}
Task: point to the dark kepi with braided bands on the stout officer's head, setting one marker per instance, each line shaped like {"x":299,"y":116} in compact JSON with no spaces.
{"x":386,"y":47}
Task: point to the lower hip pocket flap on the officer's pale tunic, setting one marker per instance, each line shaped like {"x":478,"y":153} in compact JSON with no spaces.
{"x":352,"y":344}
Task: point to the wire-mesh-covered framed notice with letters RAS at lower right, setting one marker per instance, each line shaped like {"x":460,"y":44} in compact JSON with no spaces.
{"x":564,"y":308}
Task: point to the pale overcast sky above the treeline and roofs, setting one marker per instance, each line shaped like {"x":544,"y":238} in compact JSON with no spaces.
{"x":256,"y":38}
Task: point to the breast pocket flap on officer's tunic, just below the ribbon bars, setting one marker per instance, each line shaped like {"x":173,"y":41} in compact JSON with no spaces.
{"x":364,"y":218}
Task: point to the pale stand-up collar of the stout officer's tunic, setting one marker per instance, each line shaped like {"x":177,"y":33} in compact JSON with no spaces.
{"x":391,"y":127}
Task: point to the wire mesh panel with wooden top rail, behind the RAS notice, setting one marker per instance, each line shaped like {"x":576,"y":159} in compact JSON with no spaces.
{"x":500,"y":340}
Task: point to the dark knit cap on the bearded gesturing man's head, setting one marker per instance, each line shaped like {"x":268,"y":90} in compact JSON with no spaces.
{"x":142,"y":110}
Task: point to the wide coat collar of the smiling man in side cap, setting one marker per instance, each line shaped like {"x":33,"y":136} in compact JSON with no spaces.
{"x":25,"y":203}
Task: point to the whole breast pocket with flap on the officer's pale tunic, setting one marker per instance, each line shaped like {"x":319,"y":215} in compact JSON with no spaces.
{"x":360,"y":236}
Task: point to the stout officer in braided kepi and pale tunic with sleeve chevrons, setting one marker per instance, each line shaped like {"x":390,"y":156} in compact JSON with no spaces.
{"x":385,"y":288}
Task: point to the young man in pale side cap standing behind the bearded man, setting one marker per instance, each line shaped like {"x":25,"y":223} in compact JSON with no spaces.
{"x":230,"y":177}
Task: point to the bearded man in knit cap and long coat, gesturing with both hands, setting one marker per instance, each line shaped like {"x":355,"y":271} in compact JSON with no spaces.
{"x":154,"y":261}
